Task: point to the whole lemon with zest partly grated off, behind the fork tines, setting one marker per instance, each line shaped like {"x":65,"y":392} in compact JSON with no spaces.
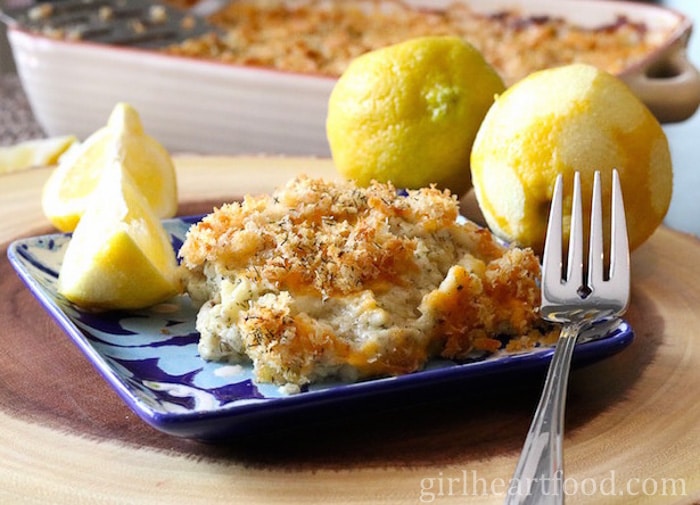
{"x":562,"y":120}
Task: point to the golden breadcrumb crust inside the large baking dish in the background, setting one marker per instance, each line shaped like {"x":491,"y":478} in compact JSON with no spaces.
{"x":321,"y":37}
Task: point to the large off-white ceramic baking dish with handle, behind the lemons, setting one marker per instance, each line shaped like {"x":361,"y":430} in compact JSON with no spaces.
{"x":209,"y":107}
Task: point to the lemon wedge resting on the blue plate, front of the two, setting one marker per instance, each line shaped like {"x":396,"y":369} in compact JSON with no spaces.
{"x":119,"y":256}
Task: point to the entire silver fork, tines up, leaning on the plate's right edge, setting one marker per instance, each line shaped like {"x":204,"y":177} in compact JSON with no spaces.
{"x":539,"y":474}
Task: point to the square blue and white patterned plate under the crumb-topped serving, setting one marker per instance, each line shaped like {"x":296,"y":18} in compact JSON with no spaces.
{"x":150,"y":358}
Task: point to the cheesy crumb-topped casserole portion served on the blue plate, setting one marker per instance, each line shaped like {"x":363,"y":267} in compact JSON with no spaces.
{"x":329,"y":280}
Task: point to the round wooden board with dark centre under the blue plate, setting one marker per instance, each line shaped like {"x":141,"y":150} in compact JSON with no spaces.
{"x":633,"y":420}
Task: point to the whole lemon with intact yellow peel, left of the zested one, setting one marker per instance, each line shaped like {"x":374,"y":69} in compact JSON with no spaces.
{"x":408,"y":113}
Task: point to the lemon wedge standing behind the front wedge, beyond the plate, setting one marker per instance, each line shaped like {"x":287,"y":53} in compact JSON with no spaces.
{"x":122,"y":140}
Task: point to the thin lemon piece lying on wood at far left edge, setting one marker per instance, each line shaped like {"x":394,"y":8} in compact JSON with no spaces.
{"x":34,"y":153}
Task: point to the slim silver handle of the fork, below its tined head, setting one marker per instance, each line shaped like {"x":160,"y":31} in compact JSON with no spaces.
{"x":539,"y":475}
